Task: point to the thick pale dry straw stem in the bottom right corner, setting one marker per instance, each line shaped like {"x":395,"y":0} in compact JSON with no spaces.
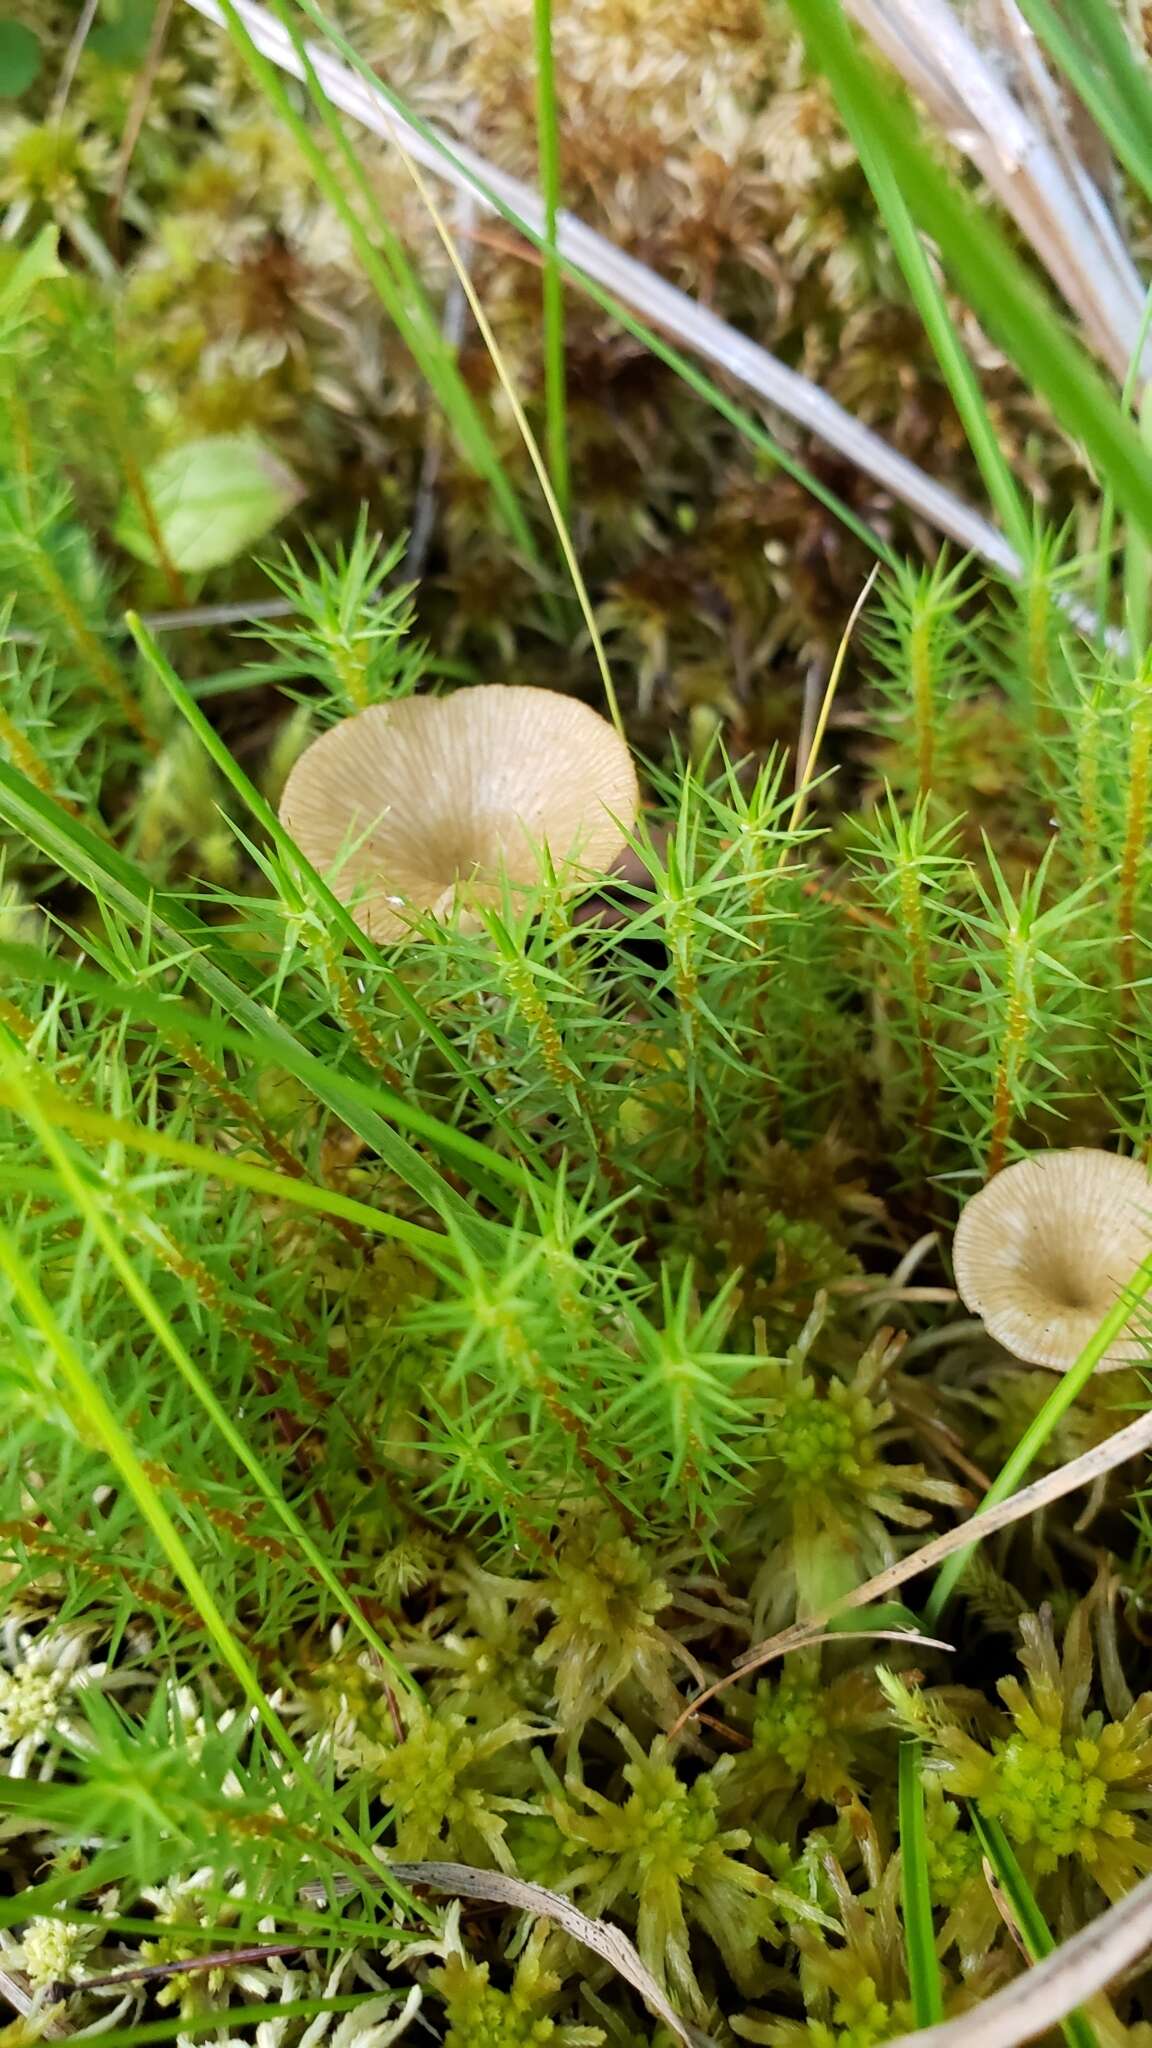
{"x":1053,"y":1990}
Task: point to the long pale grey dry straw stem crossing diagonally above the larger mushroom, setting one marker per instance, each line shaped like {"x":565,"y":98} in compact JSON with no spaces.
{"x":639,"y":288}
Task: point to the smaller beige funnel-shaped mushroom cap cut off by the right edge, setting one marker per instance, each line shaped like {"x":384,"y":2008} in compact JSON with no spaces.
{"x":1046,"y":1250}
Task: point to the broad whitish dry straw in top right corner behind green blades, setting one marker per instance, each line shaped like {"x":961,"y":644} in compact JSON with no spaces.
{"x":1026,"y":155}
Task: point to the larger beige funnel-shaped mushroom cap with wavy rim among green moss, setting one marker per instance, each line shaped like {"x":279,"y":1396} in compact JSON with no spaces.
{"x":413,"y":804}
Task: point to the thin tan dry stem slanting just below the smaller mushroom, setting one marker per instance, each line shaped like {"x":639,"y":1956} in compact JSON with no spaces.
{"x":1118,"y":1449}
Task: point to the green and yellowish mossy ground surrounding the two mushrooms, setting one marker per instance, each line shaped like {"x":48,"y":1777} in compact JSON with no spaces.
{"x":686,"y":1363}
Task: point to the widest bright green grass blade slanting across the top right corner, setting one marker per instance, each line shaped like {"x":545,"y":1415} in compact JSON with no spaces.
{"x":983,"y":263}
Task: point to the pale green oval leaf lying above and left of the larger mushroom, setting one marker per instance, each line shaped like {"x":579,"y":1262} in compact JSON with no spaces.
{"x":212,"y":501}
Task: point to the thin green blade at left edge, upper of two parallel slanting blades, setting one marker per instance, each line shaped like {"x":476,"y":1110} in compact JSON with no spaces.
{"x":91,"y":1209}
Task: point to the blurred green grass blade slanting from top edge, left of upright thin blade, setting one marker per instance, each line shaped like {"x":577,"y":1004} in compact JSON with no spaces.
{"x":399,"y":290}
